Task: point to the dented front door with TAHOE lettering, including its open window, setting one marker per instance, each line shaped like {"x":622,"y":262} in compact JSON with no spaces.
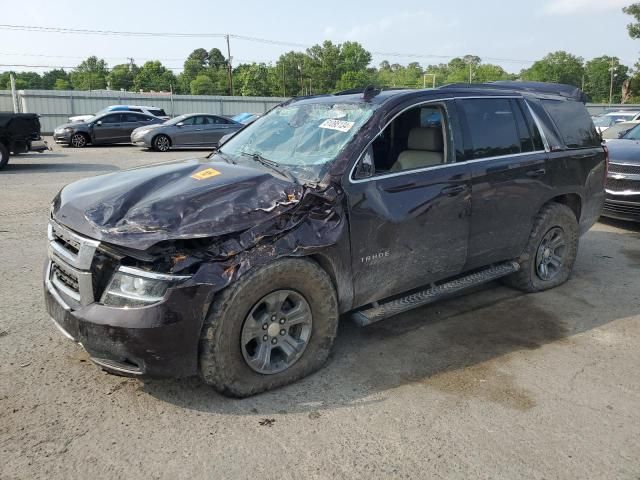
{"x":409,"y":221}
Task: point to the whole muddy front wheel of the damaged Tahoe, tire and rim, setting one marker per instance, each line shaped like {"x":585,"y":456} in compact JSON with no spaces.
{"x":241,"y":323}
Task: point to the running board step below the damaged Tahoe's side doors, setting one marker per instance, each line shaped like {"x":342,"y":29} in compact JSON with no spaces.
{"x":394,"y":307}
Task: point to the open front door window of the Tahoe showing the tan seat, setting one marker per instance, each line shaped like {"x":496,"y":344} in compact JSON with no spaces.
{"x":415,"y":139}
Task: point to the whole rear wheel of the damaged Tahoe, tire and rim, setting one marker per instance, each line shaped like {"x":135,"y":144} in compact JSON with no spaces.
{"x":548,"y":258}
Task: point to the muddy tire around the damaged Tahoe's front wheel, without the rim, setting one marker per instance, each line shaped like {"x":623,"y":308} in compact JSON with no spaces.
{"x":221,"y":362}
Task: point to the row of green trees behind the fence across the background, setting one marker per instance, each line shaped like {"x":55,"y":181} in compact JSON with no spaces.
{"x":331,"y":67}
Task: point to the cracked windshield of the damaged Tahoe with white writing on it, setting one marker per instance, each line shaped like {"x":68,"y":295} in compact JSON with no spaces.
{"x":301,"y":138}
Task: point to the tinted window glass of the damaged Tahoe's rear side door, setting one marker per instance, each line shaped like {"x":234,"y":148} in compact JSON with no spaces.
{"x":492,"y":127}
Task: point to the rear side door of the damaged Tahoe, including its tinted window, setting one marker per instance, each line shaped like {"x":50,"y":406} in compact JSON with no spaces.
{"x":509,"y":180}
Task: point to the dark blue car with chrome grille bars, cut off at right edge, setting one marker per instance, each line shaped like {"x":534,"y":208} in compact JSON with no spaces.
{"x":623,"y":178}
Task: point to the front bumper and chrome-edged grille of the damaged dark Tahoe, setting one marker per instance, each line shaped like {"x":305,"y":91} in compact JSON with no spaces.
{"x":160,"y":340}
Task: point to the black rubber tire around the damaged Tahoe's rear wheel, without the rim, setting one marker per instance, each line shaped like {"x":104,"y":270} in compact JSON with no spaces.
{"x":551,"y":215}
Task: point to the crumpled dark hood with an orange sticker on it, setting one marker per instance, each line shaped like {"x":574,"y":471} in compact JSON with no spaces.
{"x":181,"y":200}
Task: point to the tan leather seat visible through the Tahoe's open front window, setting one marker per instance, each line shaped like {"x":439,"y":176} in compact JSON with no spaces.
{"x":426,"y":148}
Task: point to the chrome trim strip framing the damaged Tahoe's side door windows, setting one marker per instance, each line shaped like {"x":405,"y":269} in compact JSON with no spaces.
{"x":353,"y":180}
